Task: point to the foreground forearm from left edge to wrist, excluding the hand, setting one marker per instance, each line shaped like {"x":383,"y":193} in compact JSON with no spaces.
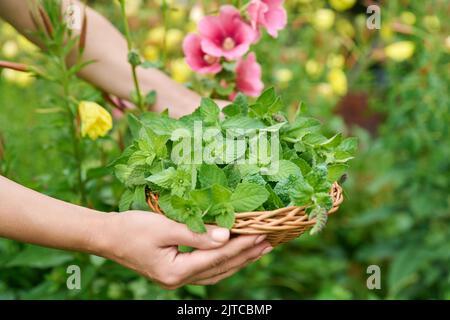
{"x":31,"y":217}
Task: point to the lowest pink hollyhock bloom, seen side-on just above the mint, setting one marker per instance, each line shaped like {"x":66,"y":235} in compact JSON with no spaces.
{"x":248,"y":76}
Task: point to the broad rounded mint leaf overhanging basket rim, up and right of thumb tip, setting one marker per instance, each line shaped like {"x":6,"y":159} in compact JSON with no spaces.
{"x":248,"y":197}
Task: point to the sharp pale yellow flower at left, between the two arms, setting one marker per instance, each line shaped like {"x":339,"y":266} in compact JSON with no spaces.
{"x":95,"y":120}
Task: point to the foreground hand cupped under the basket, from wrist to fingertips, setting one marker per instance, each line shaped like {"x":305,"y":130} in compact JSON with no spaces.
{"x":147,"y":243}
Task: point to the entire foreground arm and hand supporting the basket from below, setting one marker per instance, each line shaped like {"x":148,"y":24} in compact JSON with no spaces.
{"x":142,"y":241}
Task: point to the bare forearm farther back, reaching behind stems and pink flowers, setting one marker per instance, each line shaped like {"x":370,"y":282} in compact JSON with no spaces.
{"x":111,"y":72}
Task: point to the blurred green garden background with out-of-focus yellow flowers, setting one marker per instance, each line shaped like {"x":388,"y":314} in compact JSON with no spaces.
{"x":389,"y":87}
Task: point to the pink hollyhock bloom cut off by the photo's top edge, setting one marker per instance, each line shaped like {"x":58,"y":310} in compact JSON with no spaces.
{"x":269,"y":14}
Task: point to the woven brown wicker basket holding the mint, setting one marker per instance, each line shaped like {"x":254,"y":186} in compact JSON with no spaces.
{"x":280,"y":226}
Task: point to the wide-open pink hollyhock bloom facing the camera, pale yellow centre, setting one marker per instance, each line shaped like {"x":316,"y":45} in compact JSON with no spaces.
{"x":226,"y":35}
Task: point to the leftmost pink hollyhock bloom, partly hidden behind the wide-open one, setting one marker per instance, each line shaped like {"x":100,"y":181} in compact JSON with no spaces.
{"x":197,"y":59}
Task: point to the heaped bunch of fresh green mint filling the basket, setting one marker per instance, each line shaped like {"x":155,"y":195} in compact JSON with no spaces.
{"x":205,"y":168}
